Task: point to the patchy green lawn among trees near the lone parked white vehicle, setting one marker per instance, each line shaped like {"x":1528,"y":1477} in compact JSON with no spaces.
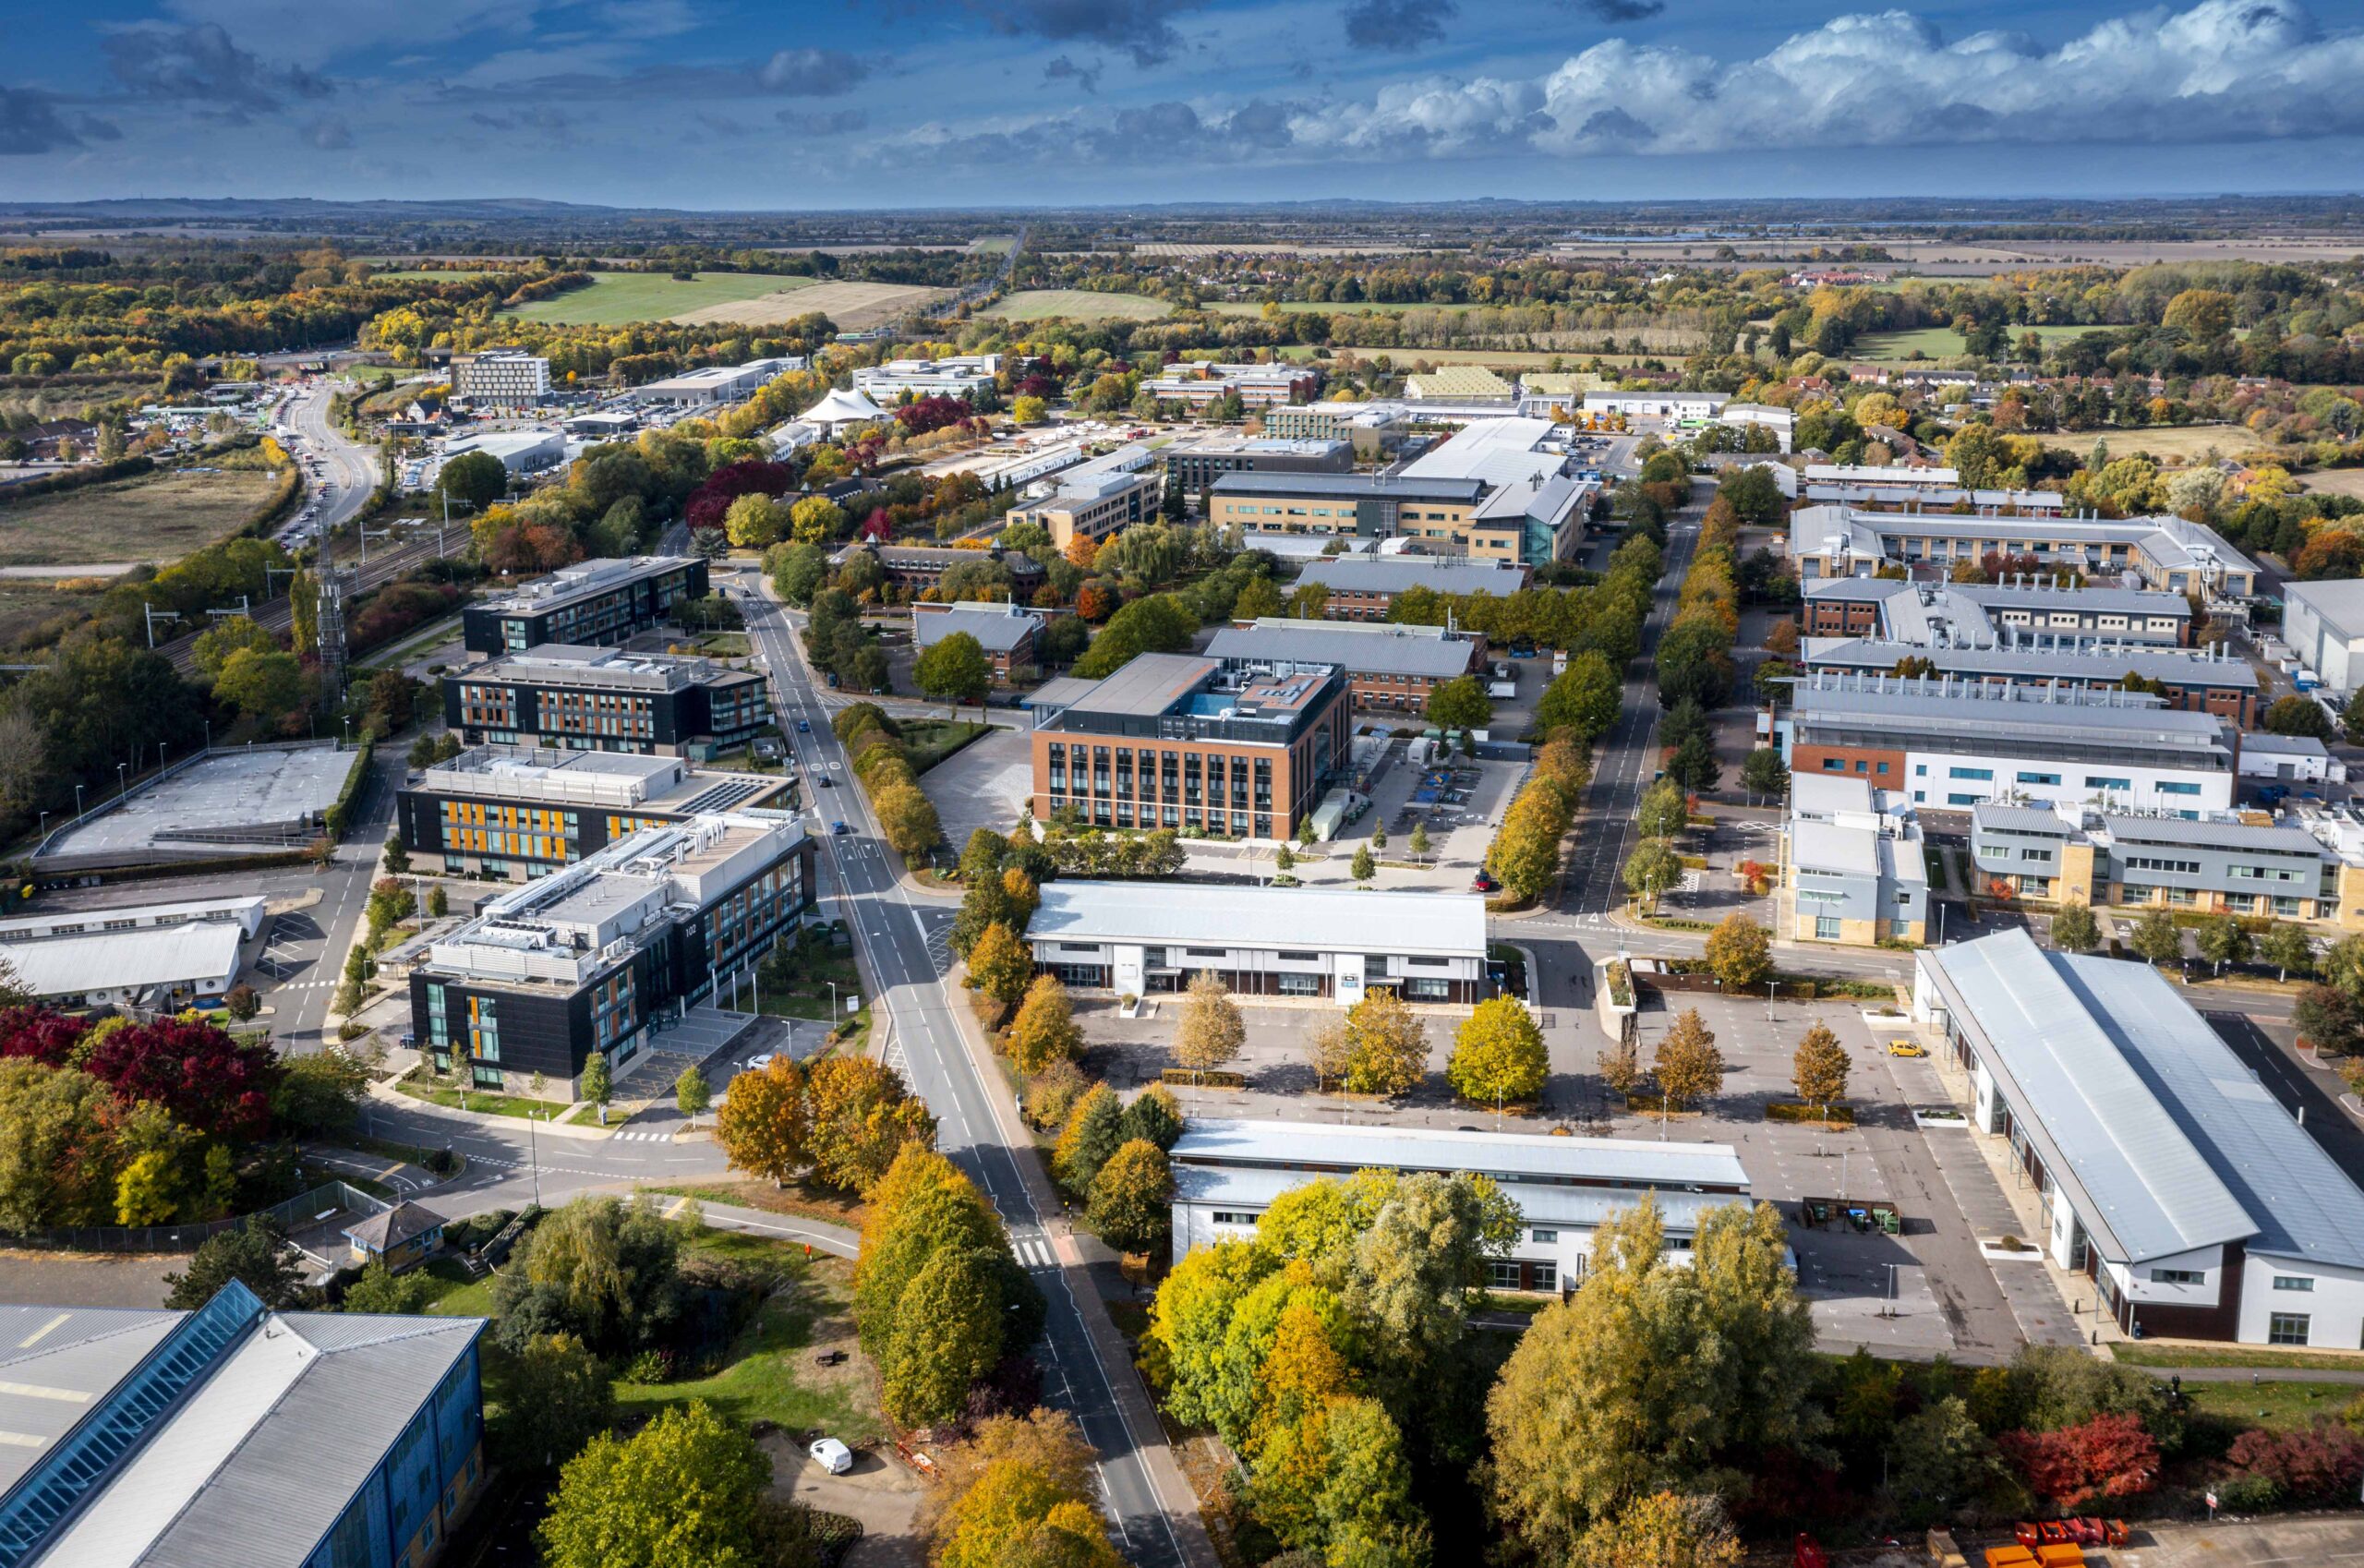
{"x":769,"y":1373}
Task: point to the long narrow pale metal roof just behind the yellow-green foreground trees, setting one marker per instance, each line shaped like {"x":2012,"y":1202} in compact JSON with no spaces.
{"x":1514,"y":1158}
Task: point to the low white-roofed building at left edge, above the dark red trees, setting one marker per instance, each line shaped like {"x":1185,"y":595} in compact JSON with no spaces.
{"x":143,"y":957}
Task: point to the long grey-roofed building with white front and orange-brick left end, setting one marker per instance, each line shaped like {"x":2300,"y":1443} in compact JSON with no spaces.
{"x":1954,"y":746}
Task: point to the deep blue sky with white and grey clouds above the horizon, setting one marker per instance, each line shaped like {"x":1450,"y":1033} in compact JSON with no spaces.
{"x":978,"y":103}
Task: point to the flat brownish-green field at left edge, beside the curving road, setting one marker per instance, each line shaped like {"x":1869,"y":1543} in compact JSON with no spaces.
{"x":157,"y":517}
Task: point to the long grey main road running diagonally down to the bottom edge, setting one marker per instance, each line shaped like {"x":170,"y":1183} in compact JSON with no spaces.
{"x":904,"y":950}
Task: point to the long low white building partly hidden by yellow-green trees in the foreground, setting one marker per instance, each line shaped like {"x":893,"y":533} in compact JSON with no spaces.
{"x":1228,"y":1174}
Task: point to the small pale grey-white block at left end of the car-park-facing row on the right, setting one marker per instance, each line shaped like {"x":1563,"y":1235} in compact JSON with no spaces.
{"x":1852,"y":864}
